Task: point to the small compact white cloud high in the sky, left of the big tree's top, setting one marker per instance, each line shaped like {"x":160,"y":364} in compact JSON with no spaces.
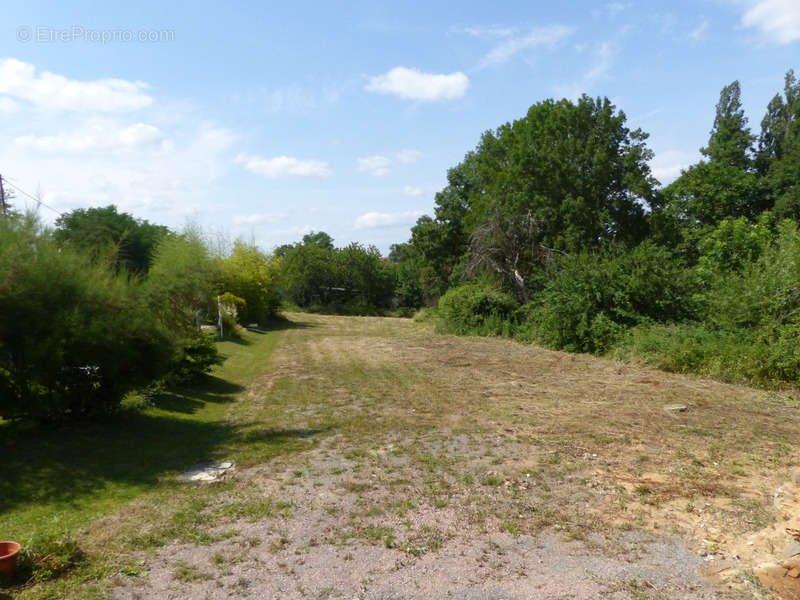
{"x":413,"y":84}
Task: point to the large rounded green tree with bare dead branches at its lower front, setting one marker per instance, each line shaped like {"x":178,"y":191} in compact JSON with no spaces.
{"x":566,"y":177}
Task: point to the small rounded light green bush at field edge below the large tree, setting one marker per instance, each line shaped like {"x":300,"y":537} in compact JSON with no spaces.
{"x":477,"y":308}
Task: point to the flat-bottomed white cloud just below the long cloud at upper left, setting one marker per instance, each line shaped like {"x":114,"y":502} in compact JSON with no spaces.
{"x":98,"y":135}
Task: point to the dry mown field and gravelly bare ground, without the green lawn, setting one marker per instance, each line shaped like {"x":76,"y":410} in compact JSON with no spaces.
{"x":476,"y":468}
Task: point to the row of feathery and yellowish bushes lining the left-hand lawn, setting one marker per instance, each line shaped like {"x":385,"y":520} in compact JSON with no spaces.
{"x":106,"y":304}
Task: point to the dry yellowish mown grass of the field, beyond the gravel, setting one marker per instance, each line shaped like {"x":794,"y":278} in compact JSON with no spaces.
{"x":553,"y":438}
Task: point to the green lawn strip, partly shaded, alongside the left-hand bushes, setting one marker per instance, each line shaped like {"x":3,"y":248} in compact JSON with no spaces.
{"x":56,"y":481}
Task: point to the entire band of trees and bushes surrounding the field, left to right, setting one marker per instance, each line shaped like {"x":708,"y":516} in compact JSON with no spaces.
{"x":551,"y":230}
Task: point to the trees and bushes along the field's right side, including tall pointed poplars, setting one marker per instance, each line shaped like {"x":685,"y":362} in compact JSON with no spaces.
{"x":554,"y":230}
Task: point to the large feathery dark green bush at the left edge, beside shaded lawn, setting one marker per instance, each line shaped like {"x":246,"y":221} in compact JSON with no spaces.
{"x":74,"y":338}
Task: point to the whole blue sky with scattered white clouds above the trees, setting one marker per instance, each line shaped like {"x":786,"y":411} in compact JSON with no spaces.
{"x":269,"y":120}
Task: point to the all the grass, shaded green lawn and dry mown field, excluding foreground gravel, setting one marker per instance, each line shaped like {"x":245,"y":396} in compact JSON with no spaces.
{"x":434,"y":438}
